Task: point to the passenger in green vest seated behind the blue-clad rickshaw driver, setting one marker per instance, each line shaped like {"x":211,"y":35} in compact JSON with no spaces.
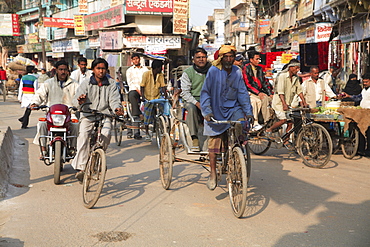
{"x":192,"y":81}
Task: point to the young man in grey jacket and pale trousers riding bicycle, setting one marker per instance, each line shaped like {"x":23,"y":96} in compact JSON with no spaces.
{"x":102,"y":94}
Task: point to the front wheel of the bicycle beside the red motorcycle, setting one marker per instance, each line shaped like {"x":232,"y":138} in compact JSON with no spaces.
{"x":94,"y":177}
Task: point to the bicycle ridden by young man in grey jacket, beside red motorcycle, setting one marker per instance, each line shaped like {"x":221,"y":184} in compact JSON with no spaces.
{"x":96,"y":166}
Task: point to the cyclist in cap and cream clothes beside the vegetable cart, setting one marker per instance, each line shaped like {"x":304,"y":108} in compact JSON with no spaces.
{"x":287,"y":87}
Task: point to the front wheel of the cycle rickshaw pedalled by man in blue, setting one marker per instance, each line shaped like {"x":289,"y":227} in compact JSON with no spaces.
{"x":237,"y":179}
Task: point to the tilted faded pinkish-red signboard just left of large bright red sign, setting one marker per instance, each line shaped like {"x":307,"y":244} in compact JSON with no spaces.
{"x":105,"y":18}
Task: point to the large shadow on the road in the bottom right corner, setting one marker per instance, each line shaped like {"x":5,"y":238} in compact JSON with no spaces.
{"x":341,"y":224}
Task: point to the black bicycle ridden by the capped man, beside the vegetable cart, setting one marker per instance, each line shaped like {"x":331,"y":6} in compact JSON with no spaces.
{"x":310,"y":140}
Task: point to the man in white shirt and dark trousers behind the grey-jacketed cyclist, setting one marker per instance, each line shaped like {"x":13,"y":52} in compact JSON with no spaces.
{"x":134,"y":75}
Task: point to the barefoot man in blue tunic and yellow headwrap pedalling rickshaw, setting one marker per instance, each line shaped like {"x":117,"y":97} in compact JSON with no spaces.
{"x":224,"y":97}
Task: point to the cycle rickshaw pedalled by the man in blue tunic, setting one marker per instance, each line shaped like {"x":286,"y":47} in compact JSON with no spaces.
{"x":235,"y":162}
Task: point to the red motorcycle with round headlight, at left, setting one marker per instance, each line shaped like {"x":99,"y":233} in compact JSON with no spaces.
{"x":59,"y":138}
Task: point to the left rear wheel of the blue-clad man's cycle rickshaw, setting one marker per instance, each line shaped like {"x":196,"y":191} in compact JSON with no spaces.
{"x":166,"y":161}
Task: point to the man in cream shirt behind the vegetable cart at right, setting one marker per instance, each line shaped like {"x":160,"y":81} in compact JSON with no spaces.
{"x":315,"y":89}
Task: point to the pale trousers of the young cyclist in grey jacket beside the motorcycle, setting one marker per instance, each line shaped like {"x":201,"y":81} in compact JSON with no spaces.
{"x":83,"y":141}
